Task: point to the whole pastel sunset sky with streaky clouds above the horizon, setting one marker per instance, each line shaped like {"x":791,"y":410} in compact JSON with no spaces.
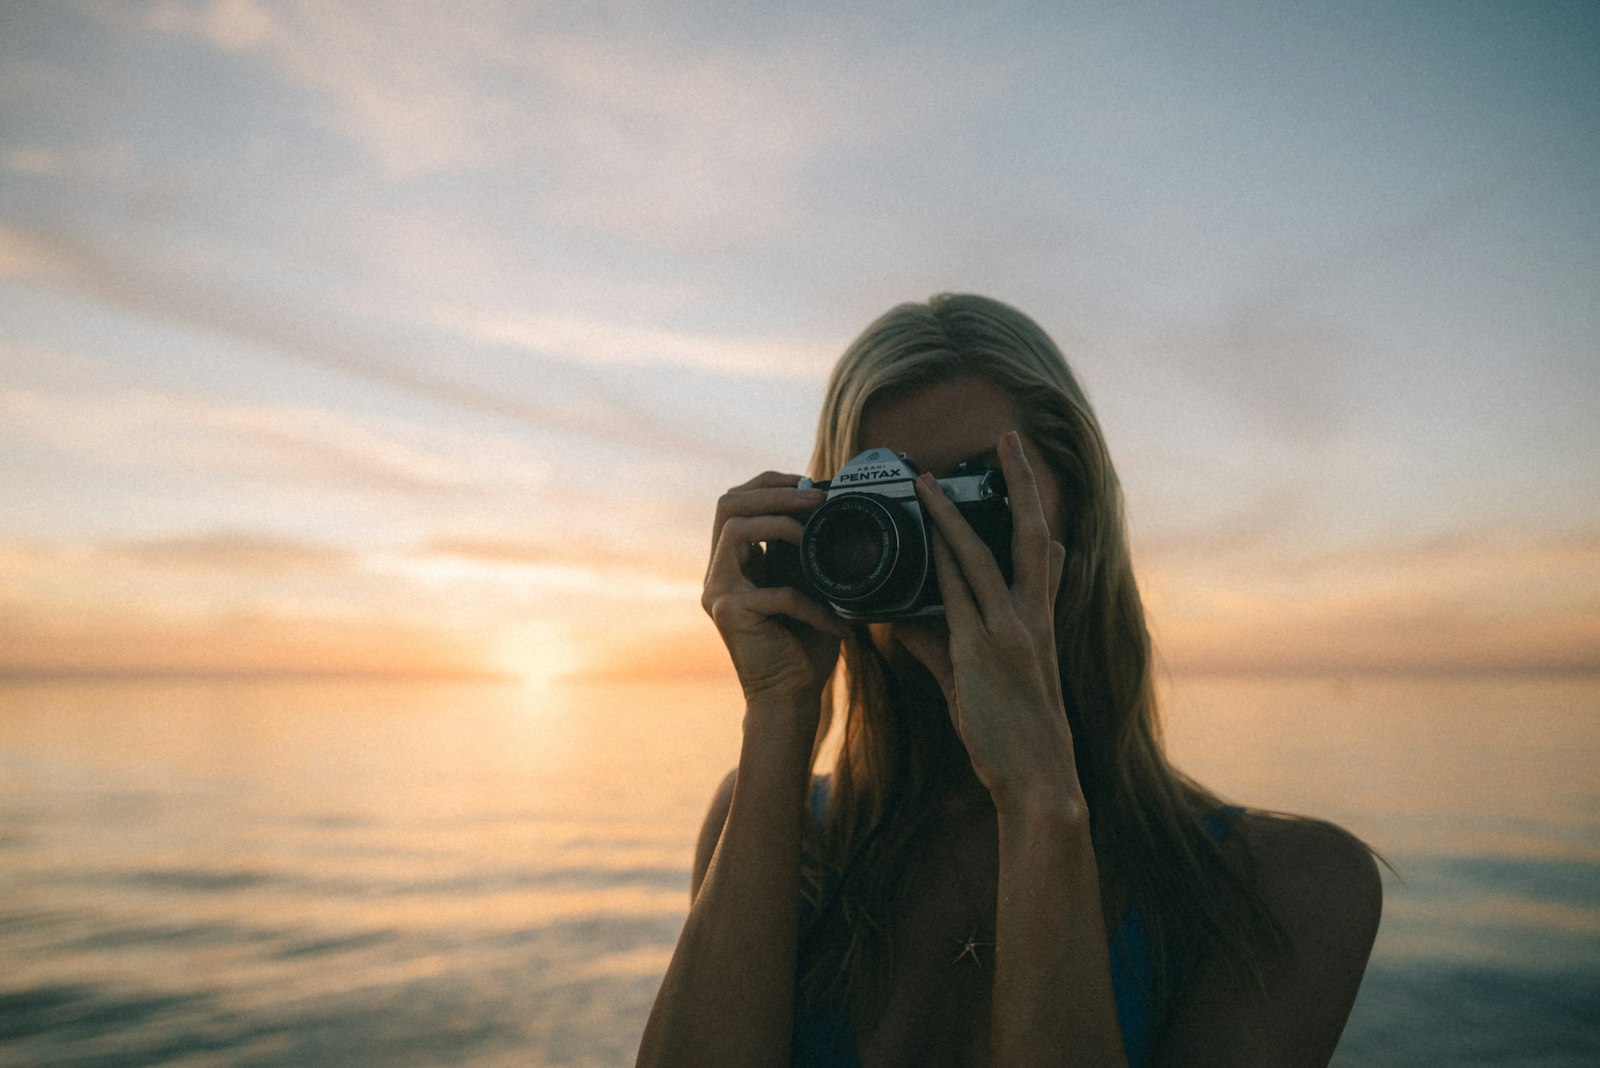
{"x":422,"y":338}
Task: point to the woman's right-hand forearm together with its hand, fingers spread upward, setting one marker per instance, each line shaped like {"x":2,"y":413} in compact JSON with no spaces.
{"x":1054,"y":1002}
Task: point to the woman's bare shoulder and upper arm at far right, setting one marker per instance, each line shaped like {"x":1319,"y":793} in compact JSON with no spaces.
{"x":1322,"y":887}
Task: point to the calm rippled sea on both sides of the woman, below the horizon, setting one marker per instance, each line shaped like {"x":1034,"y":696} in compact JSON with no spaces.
{"x":295,"y":874}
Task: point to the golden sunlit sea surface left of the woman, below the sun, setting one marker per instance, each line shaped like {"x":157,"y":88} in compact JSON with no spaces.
{"x":310,"y":874}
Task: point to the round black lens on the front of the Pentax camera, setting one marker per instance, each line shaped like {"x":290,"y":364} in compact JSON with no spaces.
{"x":860,"y":549}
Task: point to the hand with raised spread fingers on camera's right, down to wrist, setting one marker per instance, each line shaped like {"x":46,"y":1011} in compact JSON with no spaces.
{"x":999,"y":667}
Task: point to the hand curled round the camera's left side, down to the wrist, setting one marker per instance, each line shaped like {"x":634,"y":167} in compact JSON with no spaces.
{"x":783,"y":644}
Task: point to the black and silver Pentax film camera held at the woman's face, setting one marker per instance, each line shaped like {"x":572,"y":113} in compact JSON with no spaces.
{"x":868,"y":549}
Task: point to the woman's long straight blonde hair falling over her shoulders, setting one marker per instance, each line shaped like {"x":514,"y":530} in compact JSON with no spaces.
{"x":1148,"y":819}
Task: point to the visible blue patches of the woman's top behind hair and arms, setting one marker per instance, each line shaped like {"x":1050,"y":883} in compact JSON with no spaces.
{"x":823,"y":1042}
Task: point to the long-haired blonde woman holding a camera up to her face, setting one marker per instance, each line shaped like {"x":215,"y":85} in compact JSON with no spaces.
{"x":1001,"y":867}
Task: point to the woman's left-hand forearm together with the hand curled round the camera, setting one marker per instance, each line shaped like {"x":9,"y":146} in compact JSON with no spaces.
{"x":729,"y":992}
